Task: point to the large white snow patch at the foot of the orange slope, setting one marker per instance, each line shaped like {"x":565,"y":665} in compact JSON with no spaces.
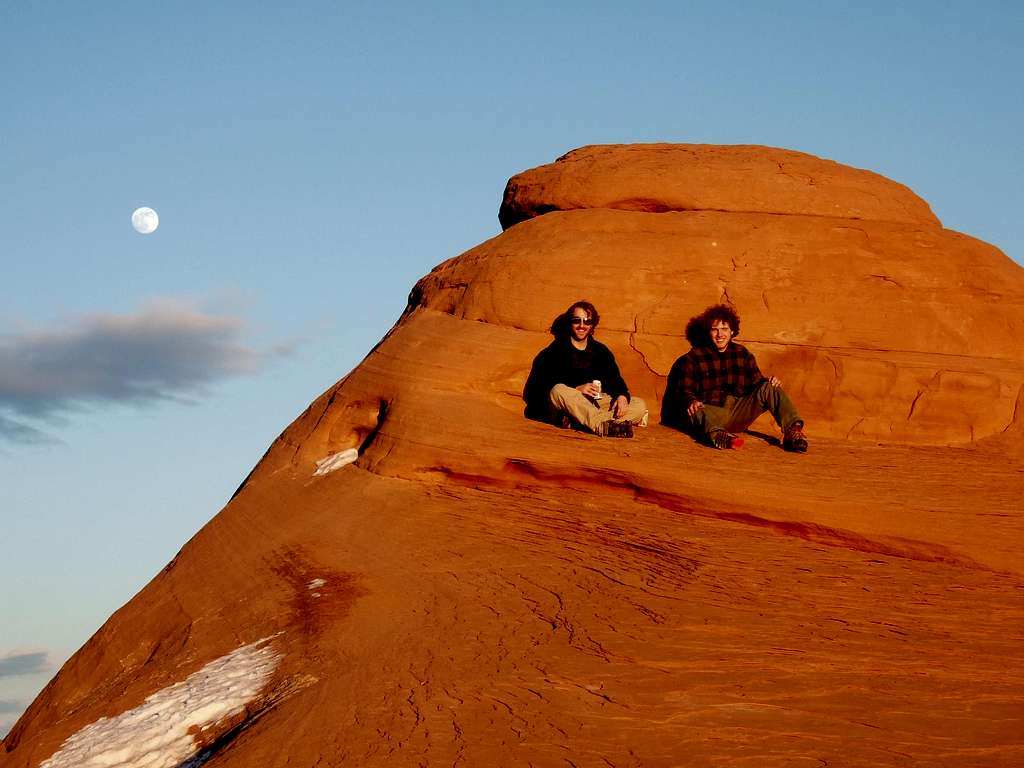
{"x":155,"y":735}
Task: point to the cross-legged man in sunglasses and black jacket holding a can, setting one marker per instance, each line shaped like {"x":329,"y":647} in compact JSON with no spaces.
{"x":576,"y":380}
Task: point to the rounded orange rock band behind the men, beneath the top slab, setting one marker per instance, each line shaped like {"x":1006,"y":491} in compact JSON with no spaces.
{"x":882,"y":331}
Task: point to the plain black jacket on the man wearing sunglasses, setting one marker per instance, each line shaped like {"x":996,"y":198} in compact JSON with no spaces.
{"x":561,"y":363}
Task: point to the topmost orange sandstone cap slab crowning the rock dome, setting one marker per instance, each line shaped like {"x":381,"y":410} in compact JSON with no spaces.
{"x":707,"y":178}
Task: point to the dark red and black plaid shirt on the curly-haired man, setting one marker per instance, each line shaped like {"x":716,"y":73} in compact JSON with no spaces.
{"x":708,"y":375}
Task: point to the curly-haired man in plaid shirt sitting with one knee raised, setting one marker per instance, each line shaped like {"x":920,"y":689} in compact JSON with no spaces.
{"x":717,"y":390}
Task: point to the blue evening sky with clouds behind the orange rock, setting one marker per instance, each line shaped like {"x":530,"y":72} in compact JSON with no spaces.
{"x":310,"y":162}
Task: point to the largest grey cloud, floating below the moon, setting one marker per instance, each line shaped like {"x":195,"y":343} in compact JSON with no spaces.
{"x":166,"y":352}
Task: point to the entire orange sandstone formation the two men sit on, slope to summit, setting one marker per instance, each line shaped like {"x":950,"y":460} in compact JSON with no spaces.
{"x":478,"y":589}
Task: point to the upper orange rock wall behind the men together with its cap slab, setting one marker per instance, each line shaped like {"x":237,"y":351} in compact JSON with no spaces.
{"x":884,"y":325}
